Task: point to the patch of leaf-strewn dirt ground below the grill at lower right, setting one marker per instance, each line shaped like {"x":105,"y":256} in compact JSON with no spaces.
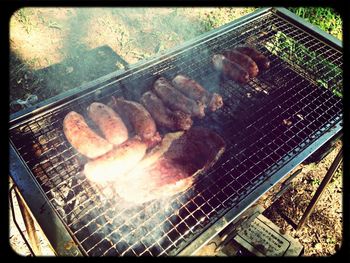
{"x":322,"y":233}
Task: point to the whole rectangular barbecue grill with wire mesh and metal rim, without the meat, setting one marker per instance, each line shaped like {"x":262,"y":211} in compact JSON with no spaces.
{"x":270,"y":125}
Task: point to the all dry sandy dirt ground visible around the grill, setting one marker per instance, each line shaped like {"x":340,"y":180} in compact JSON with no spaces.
{"x":40,"y":38}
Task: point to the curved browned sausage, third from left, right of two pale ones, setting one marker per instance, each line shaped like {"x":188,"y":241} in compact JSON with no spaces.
{"x":139,"y":118}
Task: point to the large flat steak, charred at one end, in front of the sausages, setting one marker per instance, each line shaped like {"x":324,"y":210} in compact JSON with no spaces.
{"x":171,"y":167}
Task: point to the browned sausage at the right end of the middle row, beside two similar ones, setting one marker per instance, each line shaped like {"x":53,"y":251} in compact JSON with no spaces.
{"x":197,"y":92}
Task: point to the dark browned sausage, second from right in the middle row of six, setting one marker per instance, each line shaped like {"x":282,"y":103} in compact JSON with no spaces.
{"x":175,"y":100}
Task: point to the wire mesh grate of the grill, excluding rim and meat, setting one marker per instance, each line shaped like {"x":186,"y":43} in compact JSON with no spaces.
{"x":265,"y":123}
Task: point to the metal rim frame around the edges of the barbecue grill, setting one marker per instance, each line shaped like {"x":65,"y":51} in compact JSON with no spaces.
{"x":36,"y":199}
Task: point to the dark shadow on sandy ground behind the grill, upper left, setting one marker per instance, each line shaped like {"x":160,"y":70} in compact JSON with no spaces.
{"x":70,"y":73}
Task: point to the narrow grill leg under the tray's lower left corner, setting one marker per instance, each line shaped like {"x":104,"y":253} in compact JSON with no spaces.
{"x":29,"y":224}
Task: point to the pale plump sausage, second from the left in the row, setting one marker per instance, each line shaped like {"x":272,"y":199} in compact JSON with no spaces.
{"x":109,"y":122}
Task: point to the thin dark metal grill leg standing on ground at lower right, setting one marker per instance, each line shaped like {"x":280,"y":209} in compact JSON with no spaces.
{"x":334,"y":167}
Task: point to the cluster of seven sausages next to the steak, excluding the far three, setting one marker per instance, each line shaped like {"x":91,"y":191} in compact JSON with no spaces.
{"x":129,"y":128}
